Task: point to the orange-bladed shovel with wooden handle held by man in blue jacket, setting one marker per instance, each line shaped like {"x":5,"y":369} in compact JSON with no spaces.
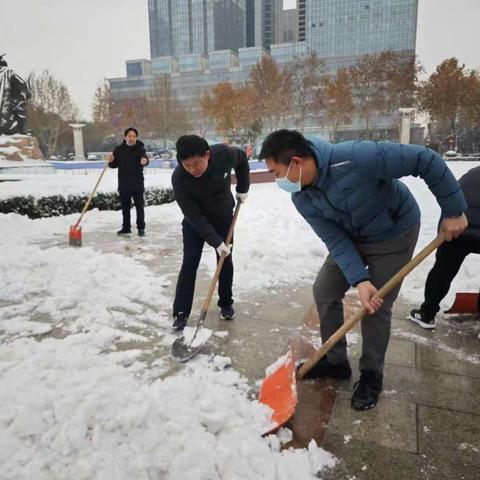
{"x":279,"y":390}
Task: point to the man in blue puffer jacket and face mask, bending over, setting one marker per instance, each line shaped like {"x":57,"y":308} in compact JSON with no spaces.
{"x":351,"y":196}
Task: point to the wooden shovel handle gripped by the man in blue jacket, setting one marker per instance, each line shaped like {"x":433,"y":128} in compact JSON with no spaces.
{"x":385,"y":290}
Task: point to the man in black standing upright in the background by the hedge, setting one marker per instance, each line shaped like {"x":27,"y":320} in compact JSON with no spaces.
{"x":130,"y":157}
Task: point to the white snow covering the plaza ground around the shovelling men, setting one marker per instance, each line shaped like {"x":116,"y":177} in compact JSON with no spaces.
{"x":75,"y":404}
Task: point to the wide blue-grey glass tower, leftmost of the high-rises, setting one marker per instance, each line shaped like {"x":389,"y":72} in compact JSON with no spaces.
{"x":182,"y":27}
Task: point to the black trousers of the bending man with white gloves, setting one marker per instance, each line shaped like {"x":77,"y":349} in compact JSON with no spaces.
{"x":192,"y":253}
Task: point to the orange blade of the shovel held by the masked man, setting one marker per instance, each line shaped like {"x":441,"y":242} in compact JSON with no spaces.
{"x":279,"y":392}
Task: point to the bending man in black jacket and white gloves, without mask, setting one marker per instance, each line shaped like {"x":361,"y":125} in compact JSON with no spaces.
{"x":201,"y":183}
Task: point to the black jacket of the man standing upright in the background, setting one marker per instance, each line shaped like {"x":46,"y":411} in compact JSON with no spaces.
{"x":130,"y":170}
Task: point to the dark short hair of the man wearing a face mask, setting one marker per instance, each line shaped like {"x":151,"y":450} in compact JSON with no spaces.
{"x":282,"y":145}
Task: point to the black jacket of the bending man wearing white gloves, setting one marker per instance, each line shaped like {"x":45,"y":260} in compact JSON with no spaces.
{"x":208,"y":201}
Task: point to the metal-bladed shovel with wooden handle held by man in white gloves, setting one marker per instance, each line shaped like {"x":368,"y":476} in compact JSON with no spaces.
{"x":183,"y":349}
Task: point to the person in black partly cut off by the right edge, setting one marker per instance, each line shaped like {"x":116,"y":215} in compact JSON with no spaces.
{"x":451,"y":255}
